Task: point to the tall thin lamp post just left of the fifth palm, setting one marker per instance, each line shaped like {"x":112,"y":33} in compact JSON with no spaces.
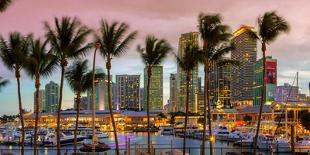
{"x":93,"y":104}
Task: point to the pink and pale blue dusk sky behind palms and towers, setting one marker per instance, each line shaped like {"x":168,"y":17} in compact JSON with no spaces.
{"x":163,"y":18}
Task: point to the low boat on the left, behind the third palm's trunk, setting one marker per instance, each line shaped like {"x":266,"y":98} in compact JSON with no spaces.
{"x":50,"y":139}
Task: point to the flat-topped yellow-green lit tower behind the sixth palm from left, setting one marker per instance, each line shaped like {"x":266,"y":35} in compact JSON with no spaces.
{"x":156,"y":88}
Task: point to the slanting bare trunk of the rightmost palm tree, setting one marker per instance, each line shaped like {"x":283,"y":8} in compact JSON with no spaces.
{"x":262,"y":99}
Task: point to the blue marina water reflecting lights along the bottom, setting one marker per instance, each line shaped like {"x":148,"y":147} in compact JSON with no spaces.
{"x":137,"y":140}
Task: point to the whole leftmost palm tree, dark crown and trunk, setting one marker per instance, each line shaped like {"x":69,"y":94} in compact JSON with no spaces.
{"x":13,"y":54}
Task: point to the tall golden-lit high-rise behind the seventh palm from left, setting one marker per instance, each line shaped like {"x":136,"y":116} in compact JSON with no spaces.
{"x":184,"y":40}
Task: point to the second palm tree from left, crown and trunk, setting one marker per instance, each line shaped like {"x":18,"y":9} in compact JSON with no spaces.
{"x":39,"y":63}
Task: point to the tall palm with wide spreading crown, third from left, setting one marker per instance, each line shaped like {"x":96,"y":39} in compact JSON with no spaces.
{"x":67,"y":41}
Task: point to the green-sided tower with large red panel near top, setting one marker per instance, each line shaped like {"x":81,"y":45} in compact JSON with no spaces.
{"x":270,"y":80}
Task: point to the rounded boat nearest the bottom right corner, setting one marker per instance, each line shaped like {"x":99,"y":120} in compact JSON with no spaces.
{"x":281,"y":145}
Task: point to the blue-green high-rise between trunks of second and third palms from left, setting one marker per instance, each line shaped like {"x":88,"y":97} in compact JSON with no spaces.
{"x":51,"y":97}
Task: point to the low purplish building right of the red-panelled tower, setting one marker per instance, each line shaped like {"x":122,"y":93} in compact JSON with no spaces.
{"x":286,"y":93}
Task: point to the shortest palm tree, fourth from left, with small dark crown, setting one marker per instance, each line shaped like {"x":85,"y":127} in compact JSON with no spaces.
{"x":79,"y":81}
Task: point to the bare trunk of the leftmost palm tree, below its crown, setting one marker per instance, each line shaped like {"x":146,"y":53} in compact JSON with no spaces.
{"x":20,"y":112}
